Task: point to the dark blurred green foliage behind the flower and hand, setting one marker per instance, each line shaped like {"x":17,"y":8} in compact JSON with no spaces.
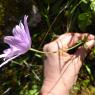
{"x":47,"y":20}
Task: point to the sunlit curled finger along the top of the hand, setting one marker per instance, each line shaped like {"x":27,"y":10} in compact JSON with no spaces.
{"x":68,"y":40}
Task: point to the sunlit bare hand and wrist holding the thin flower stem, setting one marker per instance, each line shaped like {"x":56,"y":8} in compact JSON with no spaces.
{"x":61,"y":68}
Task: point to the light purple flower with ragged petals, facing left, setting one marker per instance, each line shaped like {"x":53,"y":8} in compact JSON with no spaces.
{"x":19,"y":43}
